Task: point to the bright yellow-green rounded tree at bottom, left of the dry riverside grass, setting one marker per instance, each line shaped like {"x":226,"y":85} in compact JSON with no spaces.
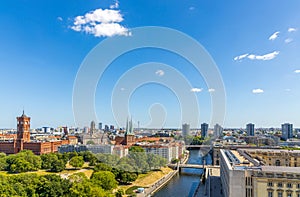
{"x":105,"y":179}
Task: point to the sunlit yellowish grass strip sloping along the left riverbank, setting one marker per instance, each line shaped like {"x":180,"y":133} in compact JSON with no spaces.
{"x":145,"y":180}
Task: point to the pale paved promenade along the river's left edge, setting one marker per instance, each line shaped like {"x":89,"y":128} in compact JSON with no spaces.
{"x":149,"y":191}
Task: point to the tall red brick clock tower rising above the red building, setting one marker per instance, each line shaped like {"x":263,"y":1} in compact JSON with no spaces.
{"x":23,"y":132}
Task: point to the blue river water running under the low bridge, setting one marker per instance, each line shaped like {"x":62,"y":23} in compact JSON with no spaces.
{"x":185,"y":183}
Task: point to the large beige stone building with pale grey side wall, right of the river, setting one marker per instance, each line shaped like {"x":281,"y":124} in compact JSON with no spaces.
{"x":260,"y":172}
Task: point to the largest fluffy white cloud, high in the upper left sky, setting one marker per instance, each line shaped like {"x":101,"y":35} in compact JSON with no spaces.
{"x":101,"y":23}
